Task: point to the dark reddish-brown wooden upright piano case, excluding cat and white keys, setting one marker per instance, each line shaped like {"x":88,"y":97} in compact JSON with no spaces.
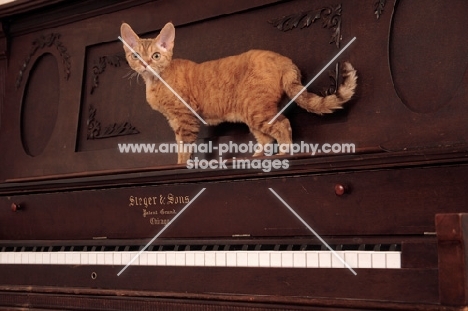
{"x":67,"y":103}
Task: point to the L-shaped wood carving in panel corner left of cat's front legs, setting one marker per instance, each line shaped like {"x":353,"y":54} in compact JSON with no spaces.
{"x":111,"y":130}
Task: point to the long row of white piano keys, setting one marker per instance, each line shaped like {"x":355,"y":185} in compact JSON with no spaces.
{"x":211,"y":258}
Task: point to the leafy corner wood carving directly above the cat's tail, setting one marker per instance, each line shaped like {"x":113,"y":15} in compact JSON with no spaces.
{"x":330,"y":16}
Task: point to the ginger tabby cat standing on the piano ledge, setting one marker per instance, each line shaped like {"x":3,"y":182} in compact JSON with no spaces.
{"x":244,"y":88}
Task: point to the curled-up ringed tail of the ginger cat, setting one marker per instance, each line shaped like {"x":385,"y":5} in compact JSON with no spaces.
{"x":315,"y":103}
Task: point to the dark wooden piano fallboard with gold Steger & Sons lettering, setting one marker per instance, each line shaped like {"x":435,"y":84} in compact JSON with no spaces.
{"x":380,"y":202}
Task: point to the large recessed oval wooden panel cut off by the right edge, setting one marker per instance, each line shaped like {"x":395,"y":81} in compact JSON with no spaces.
{"x":428,"y":53}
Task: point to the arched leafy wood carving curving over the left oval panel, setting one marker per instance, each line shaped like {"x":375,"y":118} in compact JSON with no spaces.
{"x":46,"y":41}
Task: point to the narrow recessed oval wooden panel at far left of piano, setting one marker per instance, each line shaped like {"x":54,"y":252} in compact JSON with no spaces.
{"x":40,"y":105}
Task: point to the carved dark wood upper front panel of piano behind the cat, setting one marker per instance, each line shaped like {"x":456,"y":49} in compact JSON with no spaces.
{"x":402,"y":102}
